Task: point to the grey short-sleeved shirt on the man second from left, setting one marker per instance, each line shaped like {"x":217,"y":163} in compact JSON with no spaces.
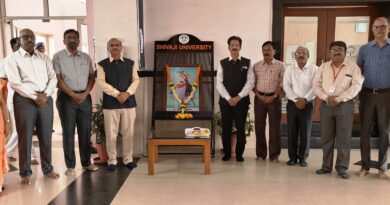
{"x":73,"y":68}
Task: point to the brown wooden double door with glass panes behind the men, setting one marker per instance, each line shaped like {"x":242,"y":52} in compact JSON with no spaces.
{"x":317,"y":27}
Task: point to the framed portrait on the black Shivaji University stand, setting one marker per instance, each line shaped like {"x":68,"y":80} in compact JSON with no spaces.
{"x":182,"y":87}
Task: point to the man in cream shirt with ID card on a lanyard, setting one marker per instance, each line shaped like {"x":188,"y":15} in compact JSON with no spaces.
{"x":336,"y":83}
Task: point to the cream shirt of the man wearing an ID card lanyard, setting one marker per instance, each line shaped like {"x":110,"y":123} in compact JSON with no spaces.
{"x":344,"y":81}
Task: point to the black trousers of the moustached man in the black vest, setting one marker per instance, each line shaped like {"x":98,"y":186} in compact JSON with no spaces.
{"x":237,"y":114}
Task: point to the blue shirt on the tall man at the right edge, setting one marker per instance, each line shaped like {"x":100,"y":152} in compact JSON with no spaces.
{"x":375,"y":63}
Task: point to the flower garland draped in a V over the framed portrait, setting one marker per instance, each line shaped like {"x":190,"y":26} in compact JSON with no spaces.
{"x":183,"y":103}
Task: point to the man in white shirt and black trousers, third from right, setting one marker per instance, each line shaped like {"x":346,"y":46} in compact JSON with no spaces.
{"x":298,"y":83}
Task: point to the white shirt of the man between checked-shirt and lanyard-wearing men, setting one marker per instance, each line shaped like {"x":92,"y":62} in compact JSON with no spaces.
{"x":298,"y":83}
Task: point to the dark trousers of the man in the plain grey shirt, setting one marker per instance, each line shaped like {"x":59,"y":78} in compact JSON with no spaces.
{"x":74,"y":115}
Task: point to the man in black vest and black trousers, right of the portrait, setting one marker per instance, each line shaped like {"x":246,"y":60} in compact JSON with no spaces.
{"x":234,"y":83}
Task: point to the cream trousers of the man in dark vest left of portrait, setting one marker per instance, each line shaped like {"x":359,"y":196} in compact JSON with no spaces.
{"x":119,"y":123}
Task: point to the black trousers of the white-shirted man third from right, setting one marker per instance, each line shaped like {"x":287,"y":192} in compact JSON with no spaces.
{"x":299,"y":130}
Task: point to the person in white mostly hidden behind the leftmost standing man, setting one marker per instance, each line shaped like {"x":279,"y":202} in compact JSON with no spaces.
{"x":12,"y":142}
